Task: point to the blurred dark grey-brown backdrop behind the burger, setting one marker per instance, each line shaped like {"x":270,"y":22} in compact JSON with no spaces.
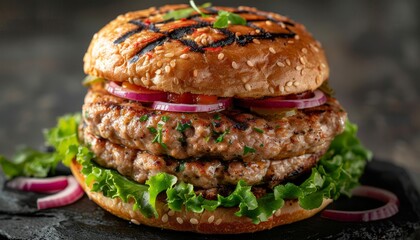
{"x":373,"y":49}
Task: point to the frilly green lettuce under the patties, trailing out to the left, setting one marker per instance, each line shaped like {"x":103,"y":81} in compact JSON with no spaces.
{"x":337,"y":173}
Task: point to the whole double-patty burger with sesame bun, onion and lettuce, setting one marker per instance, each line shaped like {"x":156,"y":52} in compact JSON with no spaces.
{"x":211,"y":119}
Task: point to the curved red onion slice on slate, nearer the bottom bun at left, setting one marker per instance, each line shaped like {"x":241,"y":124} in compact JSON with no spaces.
{"x":69,"y":195}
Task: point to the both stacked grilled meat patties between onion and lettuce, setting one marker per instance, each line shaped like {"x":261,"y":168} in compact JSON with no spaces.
{"x":206,"y":149}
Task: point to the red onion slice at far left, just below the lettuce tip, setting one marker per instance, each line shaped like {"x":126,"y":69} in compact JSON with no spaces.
{"x":43,"y":185}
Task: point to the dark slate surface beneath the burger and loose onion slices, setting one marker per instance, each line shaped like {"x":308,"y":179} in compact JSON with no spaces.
{"x":19,"y":218}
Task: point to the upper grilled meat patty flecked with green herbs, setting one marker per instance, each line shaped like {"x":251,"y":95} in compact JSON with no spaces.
{"x":223,"y":135}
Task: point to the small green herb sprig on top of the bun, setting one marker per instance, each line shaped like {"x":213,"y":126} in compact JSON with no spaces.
{"x":224,"y":18}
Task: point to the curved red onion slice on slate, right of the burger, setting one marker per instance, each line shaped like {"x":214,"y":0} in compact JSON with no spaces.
{"x":388,"y":210}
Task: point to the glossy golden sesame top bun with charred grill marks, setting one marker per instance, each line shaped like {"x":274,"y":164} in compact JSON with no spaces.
{"x":270,"y":56}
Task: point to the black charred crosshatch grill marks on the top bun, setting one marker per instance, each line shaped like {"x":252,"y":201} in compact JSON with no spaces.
{"x":194,"y":23}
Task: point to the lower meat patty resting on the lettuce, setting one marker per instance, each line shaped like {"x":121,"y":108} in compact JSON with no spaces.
{"x":209,"y":173}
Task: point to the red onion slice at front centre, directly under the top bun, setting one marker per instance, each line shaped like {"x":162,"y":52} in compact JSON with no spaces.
{"x":221,"y":105}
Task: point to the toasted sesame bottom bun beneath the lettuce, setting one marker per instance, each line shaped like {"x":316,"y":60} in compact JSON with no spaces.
{"x":220,"y":221}
